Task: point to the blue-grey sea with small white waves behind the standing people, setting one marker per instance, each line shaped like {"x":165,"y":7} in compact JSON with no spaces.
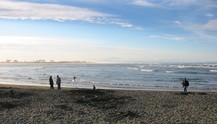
{"x":202,"y":77}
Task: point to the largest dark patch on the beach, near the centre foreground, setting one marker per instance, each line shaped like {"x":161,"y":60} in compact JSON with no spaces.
{"x":106,"y":100}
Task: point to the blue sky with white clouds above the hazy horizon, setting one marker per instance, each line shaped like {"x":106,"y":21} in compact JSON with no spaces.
{"x":109,"y":31}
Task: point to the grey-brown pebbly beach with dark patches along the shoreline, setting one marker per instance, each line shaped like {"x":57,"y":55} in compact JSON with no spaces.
{"x":28,"y":104}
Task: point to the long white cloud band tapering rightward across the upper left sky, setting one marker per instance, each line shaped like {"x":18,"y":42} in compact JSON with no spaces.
{"x":36,"y":11}
